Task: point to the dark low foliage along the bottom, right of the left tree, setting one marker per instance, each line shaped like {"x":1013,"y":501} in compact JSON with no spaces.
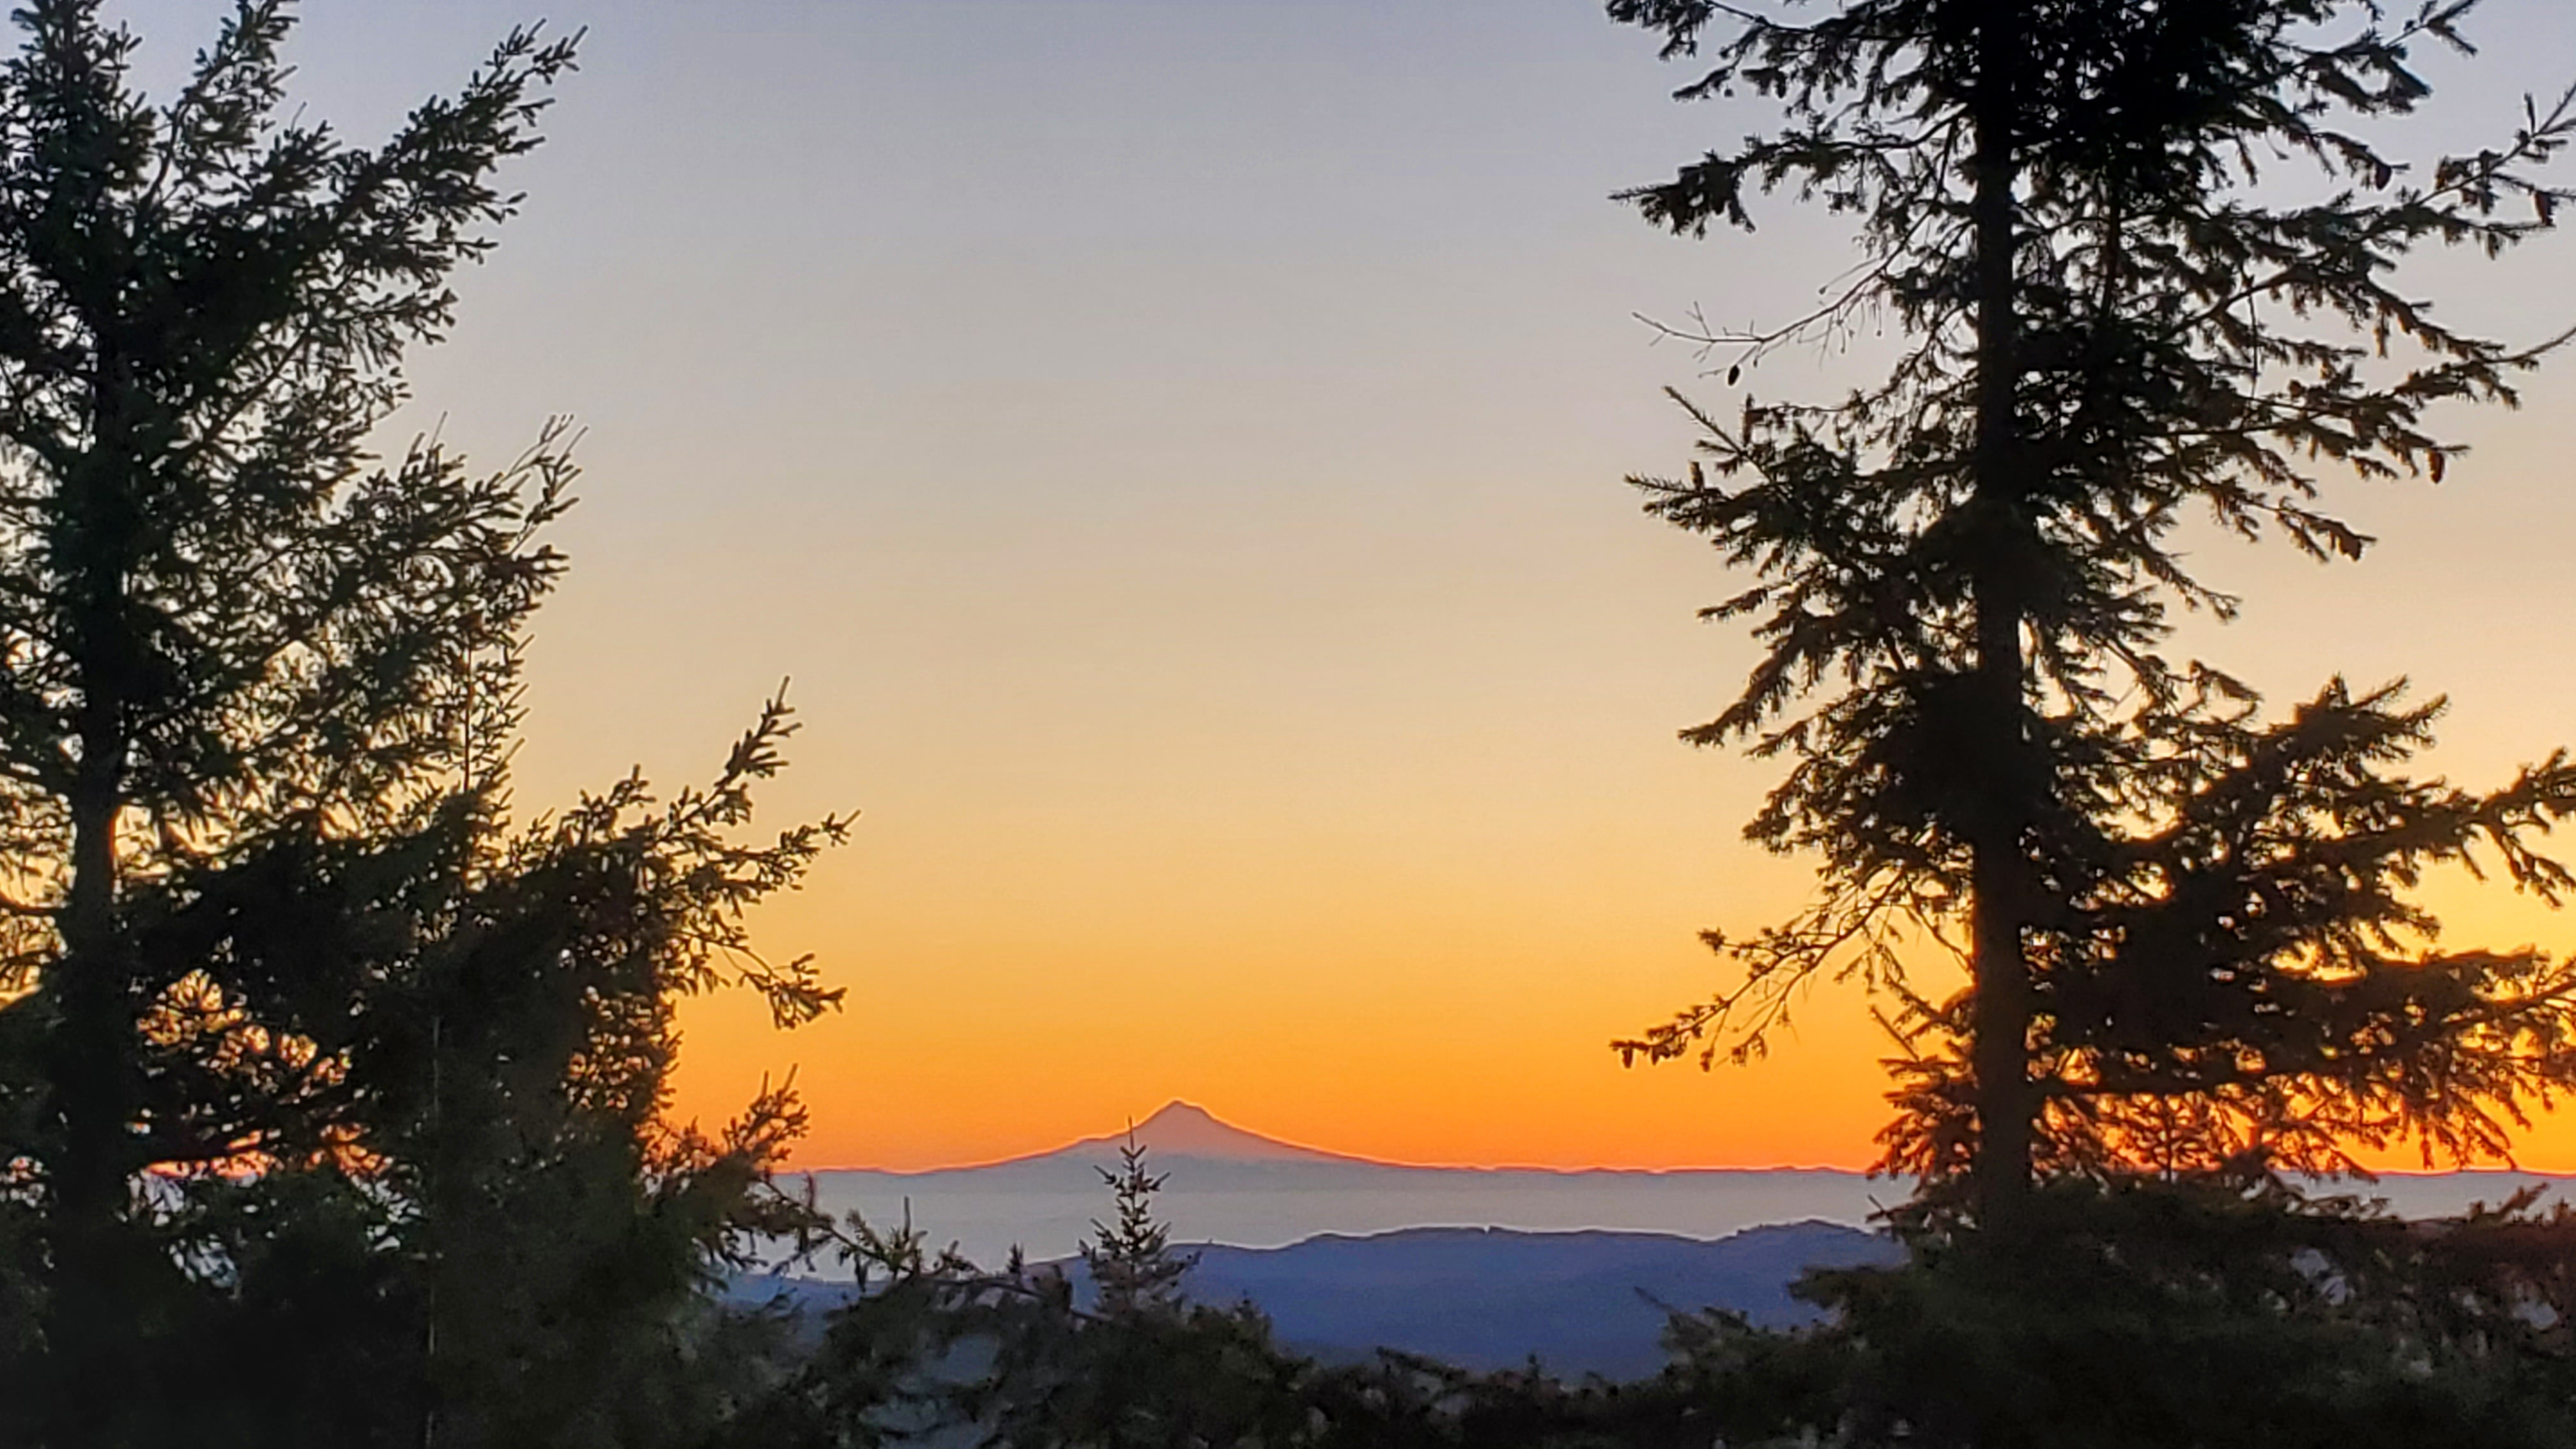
{"x":2134,"y":1316}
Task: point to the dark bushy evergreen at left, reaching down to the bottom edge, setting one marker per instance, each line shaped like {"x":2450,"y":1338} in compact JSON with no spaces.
{"x":334,"y":1102}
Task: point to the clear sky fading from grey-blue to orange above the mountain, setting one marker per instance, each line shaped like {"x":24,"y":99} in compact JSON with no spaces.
{"x":1176,"y":452}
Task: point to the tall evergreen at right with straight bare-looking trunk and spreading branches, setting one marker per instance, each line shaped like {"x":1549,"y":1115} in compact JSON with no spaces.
{"x":2186,"y":927}
